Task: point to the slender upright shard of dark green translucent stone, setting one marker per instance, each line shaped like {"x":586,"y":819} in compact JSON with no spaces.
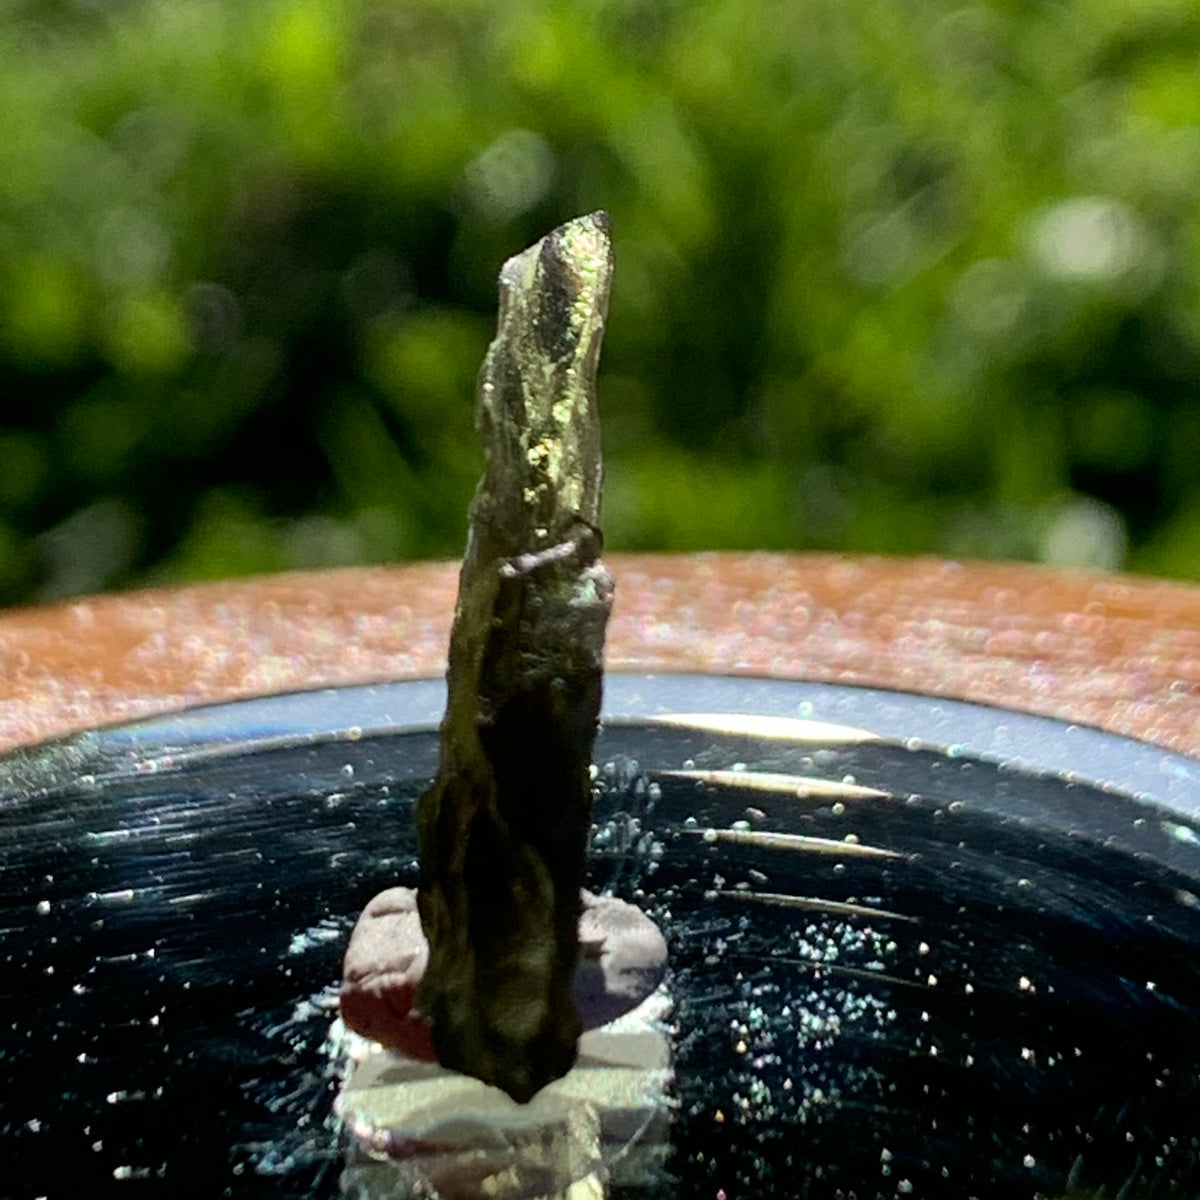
{"x":503,"y":831}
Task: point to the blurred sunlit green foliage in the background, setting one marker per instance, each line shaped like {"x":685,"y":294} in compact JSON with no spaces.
{"x":915,"y":278}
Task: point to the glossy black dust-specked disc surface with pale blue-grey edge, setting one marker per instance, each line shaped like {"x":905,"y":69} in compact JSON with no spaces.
{"x":952,"y":953}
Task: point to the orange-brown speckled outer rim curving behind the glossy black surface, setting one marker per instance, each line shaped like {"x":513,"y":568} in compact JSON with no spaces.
{"x":1117,"y":652}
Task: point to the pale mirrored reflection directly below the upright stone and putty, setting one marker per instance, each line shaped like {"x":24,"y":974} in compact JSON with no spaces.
{"x":415,"y":1126}
